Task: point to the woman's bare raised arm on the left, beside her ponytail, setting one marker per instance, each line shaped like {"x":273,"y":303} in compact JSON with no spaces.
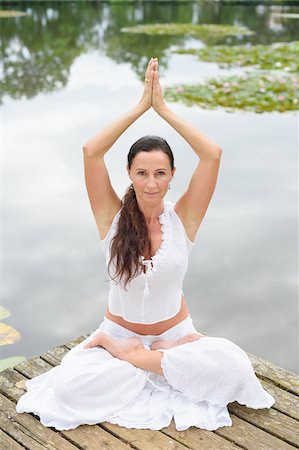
{"x":103,"y":199}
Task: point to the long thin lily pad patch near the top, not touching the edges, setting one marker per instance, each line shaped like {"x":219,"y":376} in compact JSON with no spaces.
{"x":211,"y":32}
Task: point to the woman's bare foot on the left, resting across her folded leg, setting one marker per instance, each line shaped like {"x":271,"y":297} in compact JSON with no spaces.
{"x":117,"y":347}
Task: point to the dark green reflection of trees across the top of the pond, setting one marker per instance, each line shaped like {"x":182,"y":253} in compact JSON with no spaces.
{"x":38,"y":50}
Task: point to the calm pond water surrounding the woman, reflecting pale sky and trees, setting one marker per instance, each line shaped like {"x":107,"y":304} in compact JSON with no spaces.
{"x":67,"y":70}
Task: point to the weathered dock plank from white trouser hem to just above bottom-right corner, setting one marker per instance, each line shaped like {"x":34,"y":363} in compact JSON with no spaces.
{"x":274,"y":422}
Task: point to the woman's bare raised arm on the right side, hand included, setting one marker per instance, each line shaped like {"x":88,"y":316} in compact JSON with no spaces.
{"x":192,"y":205}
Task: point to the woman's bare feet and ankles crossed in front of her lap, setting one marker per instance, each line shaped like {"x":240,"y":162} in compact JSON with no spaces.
{"x":132,"y":350}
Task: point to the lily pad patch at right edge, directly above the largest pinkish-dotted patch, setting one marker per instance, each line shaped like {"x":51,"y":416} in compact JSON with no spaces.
{"x":281,"y":55}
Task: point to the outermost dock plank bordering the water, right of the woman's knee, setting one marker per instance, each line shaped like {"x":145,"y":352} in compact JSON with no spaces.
{"x":281,"y":377}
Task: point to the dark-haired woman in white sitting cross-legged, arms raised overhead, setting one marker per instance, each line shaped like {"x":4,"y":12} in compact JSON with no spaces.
{"x":146,"y":363}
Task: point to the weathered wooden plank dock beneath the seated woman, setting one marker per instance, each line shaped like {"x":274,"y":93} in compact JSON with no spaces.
{"x":276,"y":428}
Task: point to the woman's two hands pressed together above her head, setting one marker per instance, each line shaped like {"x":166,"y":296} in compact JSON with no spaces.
{"x":152,"y":94}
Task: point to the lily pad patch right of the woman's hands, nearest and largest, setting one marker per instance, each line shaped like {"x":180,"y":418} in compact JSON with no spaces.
{"x":253,"y":91}
